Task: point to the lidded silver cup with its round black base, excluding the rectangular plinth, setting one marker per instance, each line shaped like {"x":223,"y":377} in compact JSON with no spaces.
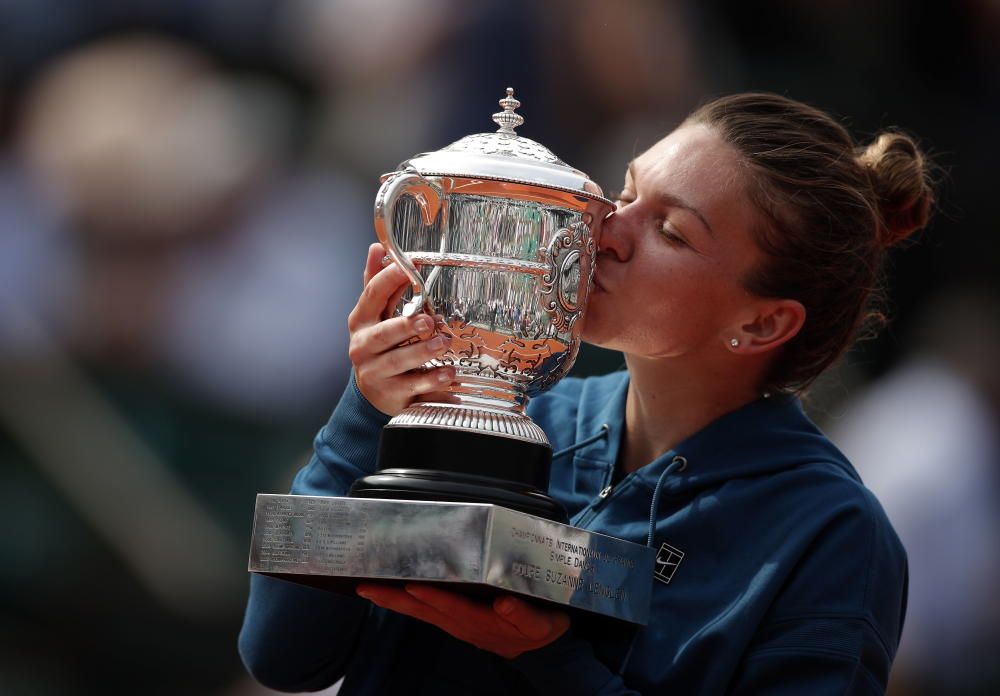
{"x":497,"y":235}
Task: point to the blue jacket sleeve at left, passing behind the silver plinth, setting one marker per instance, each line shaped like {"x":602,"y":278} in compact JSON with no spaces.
{"x":297,"y":638}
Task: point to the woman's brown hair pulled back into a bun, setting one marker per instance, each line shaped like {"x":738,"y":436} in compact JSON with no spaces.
{"x":829,"y":209}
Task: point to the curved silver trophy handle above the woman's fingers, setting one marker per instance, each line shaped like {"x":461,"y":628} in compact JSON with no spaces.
{"x":429,"y":200}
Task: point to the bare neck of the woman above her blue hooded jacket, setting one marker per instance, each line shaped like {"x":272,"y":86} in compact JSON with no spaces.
{"x":668,"y":402}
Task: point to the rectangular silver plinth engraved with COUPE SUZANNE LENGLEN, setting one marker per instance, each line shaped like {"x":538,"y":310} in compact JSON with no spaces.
{"x":334,"y":542}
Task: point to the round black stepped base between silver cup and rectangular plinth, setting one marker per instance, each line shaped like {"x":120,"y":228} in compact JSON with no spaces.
{"x":434,"y":463}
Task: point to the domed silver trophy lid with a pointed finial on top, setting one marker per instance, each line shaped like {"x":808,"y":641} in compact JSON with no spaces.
{"x":506,"y":156}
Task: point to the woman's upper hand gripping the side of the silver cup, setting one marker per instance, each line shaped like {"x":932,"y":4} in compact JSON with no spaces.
{"x":386,"y":372}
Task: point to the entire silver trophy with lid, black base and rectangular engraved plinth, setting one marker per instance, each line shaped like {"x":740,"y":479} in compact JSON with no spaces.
{"x":497,"y":235}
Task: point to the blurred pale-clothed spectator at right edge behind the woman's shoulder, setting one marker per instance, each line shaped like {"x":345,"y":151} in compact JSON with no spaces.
{"x":926,"y":440}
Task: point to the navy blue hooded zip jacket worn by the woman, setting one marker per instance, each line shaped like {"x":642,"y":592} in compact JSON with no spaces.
{"x":788,"y":578}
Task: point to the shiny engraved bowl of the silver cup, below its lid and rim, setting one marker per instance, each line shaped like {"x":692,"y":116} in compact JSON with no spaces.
{"x":490,"y":266}
